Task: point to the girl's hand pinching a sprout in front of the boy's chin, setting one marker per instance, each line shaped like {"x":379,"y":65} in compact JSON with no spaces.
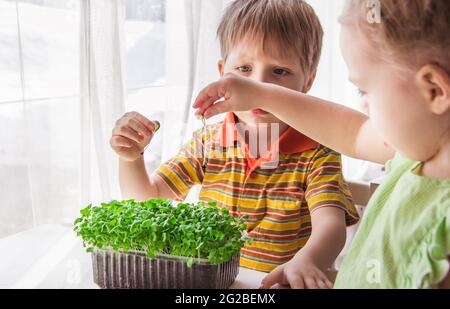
{"x":235,"y":93}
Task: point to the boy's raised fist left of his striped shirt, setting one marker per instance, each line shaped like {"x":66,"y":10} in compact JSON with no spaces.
{"x":131,"y":134}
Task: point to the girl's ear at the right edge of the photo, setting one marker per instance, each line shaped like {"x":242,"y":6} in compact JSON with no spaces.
{"x":434,"y":86}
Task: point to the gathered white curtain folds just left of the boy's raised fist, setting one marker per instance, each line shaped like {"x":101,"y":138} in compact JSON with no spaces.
{"x":103,"y":96}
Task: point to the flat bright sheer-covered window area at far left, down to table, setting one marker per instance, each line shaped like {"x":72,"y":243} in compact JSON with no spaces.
{"x":39,"y":111}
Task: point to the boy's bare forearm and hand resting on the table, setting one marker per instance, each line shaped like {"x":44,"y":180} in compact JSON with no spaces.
{"x":307,"y":269}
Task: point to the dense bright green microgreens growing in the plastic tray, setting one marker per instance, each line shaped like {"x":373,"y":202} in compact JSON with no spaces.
{"x":155,"y":226}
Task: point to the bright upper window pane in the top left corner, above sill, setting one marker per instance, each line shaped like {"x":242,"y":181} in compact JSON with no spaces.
{"x":37,"y":62}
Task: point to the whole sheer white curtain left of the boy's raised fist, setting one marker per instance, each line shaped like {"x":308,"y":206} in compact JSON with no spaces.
{"x":62,"y":88}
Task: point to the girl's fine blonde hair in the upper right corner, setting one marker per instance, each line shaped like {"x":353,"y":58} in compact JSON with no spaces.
{"x":413,"y":32}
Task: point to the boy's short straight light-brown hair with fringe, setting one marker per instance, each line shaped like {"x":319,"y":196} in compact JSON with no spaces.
{"x":292,"y":24}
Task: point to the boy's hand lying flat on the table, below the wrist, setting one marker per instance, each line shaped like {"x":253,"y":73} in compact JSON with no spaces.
{"x":298,"y":273}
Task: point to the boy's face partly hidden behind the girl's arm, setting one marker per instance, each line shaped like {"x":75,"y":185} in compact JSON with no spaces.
{"x":248,"y":59}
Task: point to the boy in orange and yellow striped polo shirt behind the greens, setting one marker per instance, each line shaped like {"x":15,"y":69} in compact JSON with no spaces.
{"x":293,"y":193}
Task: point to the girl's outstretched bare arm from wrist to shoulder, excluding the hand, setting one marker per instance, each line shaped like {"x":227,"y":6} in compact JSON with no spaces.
{"x":340,"y":128}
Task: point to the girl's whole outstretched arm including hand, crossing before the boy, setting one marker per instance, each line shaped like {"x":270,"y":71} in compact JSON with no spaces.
{"x":342,"y":129}
